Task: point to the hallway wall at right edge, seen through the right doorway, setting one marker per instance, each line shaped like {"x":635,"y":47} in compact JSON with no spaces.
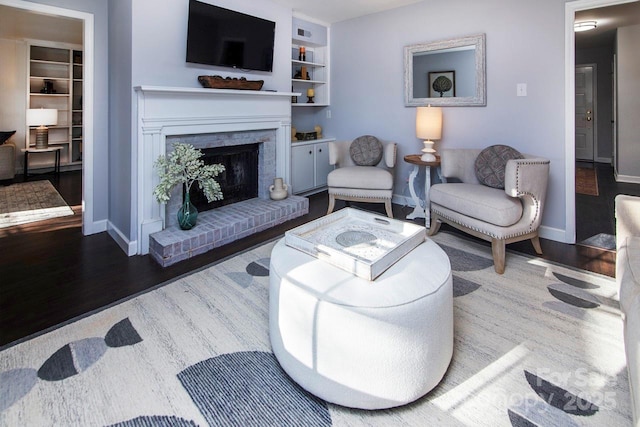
{"x":628,"y":155}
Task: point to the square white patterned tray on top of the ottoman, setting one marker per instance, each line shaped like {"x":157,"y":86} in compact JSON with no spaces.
{"x":362,"y":243}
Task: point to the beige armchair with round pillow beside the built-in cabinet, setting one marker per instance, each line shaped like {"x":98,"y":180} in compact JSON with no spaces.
{"x":352,"y":180}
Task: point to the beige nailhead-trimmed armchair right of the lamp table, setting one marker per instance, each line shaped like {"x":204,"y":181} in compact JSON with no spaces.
{"x":498,"y":215}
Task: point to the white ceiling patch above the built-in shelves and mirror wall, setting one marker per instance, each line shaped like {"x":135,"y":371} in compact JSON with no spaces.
{"x":330,"y":11}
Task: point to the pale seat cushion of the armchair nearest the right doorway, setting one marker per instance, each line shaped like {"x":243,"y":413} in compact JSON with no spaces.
{"x":483,"y":203}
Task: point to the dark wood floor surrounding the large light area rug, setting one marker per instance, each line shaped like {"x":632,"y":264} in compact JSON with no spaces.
{"x":50,"y":273}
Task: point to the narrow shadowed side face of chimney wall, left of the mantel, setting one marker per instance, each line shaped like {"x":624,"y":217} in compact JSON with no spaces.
{"x":120,"y":115}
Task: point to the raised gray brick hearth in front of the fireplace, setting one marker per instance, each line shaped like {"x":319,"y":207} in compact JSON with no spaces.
{"x":223,"y":225}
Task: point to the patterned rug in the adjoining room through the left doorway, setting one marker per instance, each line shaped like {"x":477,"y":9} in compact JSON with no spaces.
{"x":29,"y":202}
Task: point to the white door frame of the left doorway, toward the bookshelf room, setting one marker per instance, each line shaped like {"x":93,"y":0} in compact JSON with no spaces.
{"x":88,"y":224}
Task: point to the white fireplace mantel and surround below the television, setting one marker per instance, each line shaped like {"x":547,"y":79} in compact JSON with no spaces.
{"x":170,"y":111}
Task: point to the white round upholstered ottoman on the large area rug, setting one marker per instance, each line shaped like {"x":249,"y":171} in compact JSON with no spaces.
{"x":358,"y":343}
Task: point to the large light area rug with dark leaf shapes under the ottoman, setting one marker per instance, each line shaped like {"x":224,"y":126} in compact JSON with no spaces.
{"x":540,"y":345}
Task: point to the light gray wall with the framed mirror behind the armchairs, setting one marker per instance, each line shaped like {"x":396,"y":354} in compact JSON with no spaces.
{"x":524,"y":44}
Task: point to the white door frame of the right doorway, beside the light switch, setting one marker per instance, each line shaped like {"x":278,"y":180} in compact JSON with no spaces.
{"x":569,"y":82}
